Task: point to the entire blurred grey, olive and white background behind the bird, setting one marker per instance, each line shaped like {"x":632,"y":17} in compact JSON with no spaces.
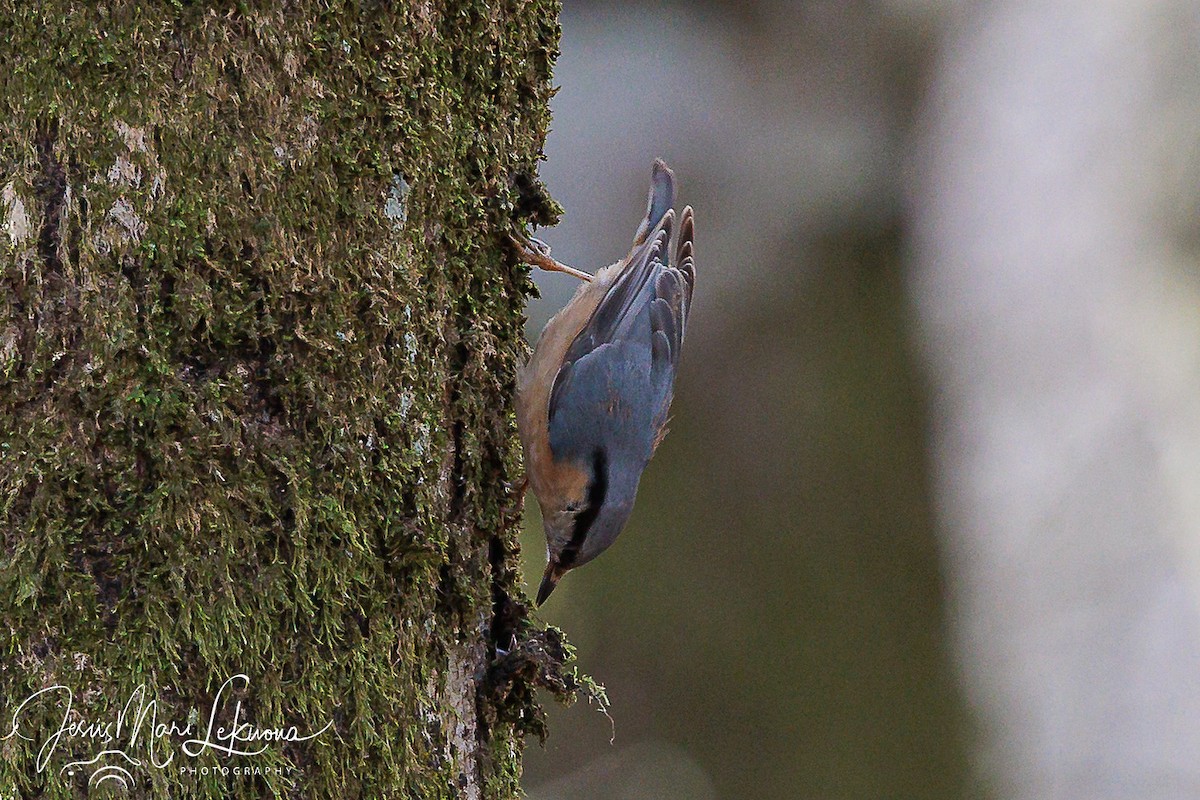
{"x":927,"y":521}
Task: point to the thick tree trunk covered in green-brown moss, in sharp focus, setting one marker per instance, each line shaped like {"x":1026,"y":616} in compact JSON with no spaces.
{"x":259,"y":333}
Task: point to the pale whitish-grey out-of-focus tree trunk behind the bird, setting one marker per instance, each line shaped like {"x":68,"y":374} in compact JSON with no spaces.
{"x":1059,"y":280}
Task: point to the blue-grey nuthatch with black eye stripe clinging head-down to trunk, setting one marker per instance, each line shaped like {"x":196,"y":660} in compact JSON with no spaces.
{"x":592,"y":401}
